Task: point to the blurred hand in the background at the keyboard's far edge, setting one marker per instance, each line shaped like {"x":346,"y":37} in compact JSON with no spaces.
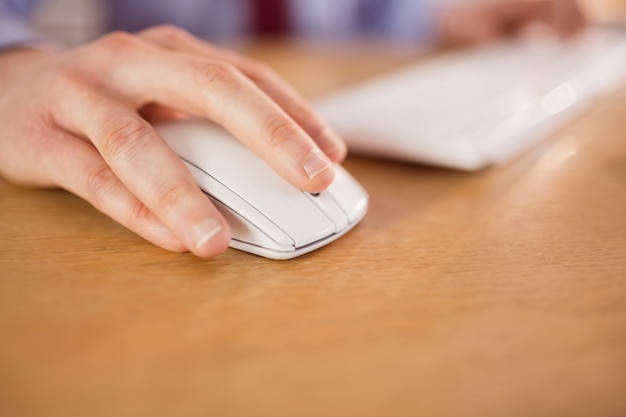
{"x":486,"y":20}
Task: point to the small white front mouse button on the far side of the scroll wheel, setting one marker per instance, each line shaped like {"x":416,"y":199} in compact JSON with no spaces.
{"x":349,"y":194}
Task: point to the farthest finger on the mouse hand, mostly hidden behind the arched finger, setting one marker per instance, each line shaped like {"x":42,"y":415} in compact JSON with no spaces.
{"x":280,"y":91}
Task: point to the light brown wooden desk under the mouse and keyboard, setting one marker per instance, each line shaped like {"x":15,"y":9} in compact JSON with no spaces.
{"x":499,"y":293}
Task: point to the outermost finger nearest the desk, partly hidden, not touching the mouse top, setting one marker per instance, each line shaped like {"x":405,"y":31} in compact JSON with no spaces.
{"x":76,"y":166}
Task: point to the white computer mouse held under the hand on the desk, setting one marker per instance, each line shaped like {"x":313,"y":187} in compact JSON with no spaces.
{"x":268,"y":216}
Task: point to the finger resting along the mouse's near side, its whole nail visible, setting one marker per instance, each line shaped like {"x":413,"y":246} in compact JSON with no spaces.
{"x":147,"y":167}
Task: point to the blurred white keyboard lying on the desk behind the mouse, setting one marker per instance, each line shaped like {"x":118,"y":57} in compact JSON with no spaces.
{"x":469,"y":109}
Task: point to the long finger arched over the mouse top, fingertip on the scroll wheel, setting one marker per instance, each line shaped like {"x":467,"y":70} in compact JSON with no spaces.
{"x":220,"y":92}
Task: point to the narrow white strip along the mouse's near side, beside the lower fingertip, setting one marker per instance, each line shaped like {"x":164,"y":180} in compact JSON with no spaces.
{"x":218,"y":192}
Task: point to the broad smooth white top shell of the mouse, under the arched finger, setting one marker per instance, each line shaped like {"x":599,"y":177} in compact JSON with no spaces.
{"x":242,"y":172}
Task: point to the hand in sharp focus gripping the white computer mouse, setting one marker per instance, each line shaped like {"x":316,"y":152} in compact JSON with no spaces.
{"x":79,"y":120}
